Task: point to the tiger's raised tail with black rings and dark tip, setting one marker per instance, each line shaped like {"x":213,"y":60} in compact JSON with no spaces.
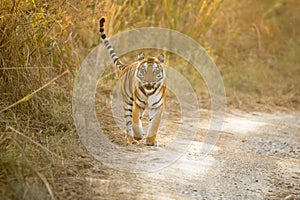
{"x":110,"y":49}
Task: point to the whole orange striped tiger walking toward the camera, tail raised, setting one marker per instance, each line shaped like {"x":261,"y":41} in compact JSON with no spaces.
{"x":143,"y":86}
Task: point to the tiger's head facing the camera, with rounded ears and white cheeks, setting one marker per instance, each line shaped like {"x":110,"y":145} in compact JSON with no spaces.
{"x":150,"y":72}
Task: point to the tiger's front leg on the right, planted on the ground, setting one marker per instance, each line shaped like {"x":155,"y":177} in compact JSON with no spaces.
{"x":155,"y":118}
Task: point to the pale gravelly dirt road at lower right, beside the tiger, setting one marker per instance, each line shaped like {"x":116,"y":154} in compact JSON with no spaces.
{"x":257,"y":156}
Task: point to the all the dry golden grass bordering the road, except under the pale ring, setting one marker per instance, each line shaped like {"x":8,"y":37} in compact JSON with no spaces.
{"x":254,"y":43}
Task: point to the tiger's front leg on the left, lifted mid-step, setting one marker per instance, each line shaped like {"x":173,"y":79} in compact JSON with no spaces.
{"x":137,"y":127}
